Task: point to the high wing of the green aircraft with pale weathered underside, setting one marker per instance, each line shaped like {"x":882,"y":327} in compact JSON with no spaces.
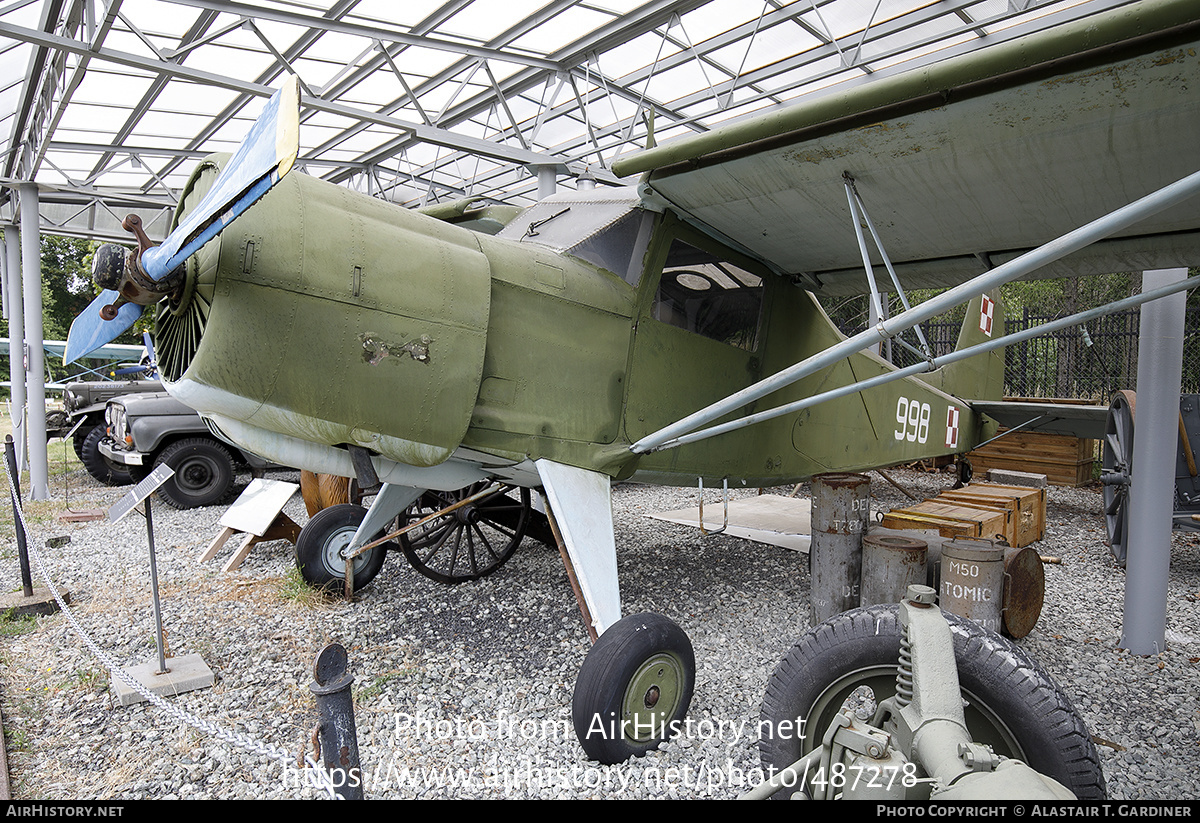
{"x":964,"y":164}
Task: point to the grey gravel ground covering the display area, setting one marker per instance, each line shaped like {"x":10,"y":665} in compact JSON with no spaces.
{"x":465,"y":692}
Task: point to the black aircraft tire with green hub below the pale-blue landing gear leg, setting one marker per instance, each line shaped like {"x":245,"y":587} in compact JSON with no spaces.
{"x":634,"y":688}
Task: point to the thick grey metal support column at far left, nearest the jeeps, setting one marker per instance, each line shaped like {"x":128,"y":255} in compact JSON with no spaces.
{"x":35,"y":370}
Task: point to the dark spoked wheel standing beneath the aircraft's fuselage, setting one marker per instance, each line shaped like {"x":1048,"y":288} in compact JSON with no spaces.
{"x":469,"y":543}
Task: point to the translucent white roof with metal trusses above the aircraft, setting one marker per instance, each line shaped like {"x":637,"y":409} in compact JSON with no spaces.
{"x":428,"y":100}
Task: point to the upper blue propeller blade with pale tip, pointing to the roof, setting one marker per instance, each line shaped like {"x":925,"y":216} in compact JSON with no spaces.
{"x":262,"y":160}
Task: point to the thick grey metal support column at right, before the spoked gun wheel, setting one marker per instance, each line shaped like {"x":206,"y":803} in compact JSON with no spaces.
{"x":1153,"y":491}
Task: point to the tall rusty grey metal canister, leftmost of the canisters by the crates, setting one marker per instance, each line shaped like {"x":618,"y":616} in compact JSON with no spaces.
{"x":842,"y":510}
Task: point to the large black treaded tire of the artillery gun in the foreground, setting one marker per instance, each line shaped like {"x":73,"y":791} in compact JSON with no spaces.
{"x":1011,"y":704}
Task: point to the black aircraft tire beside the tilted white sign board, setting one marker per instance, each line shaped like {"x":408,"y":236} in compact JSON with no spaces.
{"x":321,"y":540}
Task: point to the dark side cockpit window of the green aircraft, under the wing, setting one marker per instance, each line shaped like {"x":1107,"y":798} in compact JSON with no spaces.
{"x":707,"y":296}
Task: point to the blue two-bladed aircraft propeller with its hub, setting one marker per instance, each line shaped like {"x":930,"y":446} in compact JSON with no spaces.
{"x":143,"y":277}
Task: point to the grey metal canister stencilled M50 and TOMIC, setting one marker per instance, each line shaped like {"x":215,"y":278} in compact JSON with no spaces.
{"x":974,"y":581}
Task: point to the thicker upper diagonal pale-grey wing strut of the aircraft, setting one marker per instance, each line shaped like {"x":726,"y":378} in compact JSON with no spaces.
{"x":1067,"y":244}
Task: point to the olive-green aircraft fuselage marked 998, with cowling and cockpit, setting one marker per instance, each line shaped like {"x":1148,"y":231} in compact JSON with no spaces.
{"x":323,"y":319}
